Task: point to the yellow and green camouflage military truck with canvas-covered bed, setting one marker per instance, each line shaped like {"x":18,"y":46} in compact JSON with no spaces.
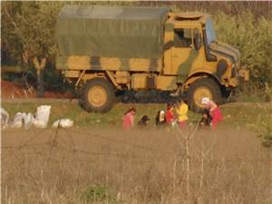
{"x":104,"y":50}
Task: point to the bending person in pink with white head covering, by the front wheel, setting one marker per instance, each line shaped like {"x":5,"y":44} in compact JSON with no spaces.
{"x":214,"y":111}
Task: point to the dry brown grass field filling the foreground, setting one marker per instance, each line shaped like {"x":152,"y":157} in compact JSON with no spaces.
{"x":141,"y":166}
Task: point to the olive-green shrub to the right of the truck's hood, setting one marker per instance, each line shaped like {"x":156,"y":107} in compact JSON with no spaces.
{"x":252,"y":37}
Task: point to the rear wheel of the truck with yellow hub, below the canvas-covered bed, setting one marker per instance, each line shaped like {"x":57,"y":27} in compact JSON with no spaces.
{"x":98,"y":95}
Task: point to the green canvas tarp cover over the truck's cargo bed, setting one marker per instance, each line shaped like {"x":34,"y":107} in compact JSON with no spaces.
{"x":108,"y":31}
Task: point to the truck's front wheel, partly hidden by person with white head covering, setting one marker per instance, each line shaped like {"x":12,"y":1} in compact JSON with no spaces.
{"x":204,"y":87}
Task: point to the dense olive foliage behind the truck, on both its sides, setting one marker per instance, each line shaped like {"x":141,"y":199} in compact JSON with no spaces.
{"x":28,"y":31}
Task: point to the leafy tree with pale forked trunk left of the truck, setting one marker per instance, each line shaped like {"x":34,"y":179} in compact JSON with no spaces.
{"x":28,"y":33}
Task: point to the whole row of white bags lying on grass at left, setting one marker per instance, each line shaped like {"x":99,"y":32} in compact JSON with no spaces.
{"x":39,"y":120}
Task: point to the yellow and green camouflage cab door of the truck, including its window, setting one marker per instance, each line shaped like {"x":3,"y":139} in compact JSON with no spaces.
{"x":184,"y":55}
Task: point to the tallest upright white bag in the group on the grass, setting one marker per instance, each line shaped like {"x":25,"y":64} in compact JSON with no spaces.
{"x":42,"y":116}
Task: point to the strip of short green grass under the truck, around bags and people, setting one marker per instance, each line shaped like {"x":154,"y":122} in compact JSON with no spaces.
{"x":249,"y":115}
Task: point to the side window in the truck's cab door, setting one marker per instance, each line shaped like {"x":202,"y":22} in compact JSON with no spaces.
{"x":182,"y":38}
